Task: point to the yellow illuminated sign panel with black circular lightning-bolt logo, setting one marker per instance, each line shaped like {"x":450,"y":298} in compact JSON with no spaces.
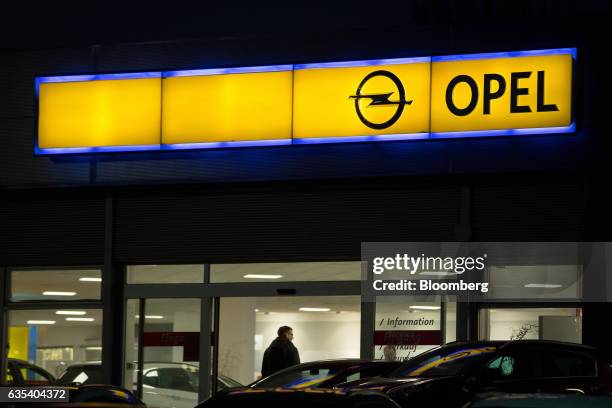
{"x":365,"y":100}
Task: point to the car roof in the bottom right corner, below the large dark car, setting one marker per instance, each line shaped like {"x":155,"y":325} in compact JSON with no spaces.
{"x":540,"y":401}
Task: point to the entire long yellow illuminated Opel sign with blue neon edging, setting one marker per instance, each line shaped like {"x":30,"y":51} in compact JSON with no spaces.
{"x":515,"y":93}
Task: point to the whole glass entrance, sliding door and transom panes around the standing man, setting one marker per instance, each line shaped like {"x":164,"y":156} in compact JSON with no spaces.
{"x":214,"y":322}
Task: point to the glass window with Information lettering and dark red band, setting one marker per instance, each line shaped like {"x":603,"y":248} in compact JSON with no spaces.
{"x":406,"y":327}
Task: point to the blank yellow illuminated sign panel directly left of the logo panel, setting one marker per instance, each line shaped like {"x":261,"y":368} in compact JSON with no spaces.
{"x":226,"y":108}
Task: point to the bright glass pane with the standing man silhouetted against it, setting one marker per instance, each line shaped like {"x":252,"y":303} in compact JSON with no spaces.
{"x":324,"y":327}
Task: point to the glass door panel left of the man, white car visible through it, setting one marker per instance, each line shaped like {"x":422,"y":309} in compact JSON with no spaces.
{"x":163,"y":351}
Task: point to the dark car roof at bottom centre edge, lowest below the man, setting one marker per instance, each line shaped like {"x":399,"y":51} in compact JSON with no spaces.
{"x":298,"y":398}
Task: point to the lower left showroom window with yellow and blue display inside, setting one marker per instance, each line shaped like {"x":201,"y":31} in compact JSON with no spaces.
{"x":54,"y":340}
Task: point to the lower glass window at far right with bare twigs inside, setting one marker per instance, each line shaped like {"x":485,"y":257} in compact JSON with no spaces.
{"x":561,"y":324}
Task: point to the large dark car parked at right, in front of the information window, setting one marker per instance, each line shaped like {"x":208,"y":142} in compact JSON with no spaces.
{"x":451,"y":375}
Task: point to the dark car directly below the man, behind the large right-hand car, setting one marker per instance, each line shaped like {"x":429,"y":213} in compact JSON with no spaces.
{"x":326,"y":373}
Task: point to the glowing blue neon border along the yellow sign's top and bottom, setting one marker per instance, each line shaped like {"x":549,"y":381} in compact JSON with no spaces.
{"x":303,"y":141}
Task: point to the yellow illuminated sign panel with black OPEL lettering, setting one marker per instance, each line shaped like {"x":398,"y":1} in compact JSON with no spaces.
{"x":501,"y":93}
